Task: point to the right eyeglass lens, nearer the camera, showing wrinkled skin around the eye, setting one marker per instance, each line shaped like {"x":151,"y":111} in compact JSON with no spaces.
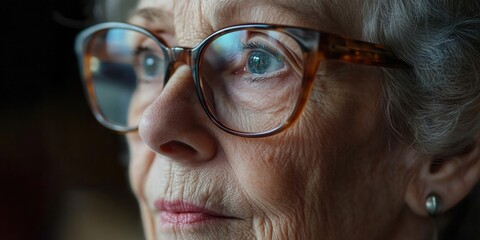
{"x":251,"y":79}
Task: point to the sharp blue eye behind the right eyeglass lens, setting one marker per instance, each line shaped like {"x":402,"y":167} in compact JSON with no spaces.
{"x":262,"y":62}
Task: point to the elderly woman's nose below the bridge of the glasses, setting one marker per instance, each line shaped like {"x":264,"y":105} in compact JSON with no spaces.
{"x":174,"y":124}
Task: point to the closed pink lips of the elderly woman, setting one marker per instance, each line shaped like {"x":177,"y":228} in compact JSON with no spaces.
{"x":183,"y":213}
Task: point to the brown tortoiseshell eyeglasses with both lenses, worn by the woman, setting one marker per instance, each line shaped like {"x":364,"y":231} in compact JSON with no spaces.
{"x":252,"y":80}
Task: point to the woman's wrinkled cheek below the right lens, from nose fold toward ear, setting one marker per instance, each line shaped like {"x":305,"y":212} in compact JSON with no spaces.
{"x":303,"y":171}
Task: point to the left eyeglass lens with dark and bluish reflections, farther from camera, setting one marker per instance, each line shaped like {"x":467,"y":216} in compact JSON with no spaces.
{"x":120,"y":63}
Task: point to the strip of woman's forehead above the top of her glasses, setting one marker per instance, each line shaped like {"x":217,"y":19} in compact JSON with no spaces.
{"x":336,"y":16}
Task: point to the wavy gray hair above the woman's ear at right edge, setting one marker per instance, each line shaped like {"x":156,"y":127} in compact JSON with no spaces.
{"x":436,"y":104}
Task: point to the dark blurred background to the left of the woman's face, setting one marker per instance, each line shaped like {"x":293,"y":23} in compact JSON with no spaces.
{"x":62,"y":175}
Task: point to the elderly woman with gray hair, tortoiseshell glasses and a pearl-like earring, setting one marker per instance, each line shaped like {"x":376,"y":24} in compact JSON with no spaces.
{"x":304,"y":119}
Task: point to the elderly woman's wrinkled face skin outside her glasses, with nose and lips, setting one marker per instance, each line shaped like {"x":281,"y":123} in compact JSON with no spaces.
{"x":335,"y":174}
